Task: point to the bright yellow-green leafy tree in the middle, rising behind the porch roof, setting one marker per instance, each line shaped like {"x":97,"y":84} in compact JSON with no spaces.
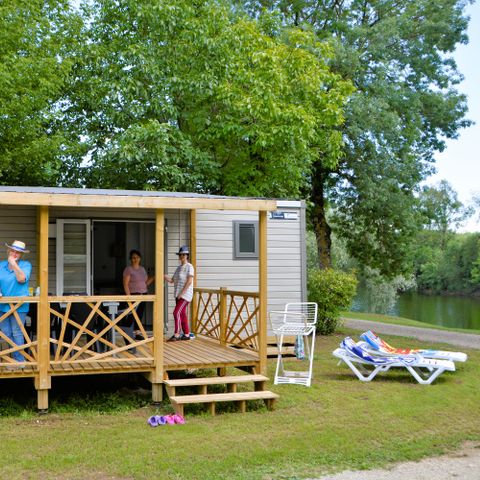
{"x":186,"y":95}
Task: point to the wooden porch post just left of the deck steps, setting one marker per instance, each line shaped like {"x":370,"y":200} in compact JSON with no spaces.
{"x":158,"y":311}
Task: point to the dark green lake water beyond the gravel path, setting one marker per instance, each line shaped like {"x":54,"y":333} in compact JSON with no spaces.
{"x":447,"y":311}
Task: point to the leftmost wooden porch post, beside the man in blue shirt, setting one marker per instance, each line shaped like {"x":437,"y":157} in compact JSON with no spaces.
{"x":43,"y":379}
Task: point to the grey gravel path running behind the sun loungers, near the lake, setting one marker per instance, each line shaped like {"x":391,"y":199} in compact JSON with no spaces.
{"x":466,"y":340}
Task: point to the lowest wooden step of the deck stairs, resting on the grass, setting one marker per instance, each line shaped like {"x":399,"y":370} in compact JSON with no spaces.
{"x":212,"y":398}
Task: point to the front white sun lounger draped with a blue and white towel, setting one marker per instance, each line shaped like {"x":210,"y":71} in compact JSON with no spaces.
{"x":366,"y":366}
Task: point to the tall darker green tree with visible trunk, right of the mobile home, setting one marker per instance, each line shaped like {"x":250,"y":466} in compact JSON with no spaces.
{"x":398,"y":56}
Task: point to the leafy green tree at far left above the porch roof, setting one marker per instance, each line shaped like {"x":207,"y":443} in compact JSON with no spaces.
{"x":33,"y":73}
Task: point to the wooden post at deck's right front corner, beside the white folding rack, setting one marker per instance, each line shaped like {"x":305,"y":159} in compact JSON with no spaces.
{"x":263,"y":290}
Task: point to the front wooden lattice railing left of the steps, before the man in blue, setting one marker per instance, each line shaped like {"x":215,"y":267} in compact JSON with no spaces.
{"x":95,"y":330}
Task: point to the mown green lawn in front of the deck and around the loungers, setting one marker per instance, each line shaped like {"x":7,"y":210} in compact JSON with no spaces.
{"x":336,"y":424}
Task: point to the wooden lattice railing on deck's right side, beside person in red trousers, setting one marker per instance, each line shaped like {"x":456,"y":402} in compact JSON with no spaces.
{"x":230,"y":316}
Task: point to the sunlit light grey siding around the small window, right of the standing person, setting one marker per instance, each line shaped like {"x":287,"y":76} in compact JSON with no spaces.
{"x":217,"y":267}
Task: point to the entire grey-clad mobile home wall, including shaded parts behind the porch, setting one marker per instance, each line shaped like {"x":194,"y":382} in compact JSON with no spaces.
{"x":216,"y":265}
